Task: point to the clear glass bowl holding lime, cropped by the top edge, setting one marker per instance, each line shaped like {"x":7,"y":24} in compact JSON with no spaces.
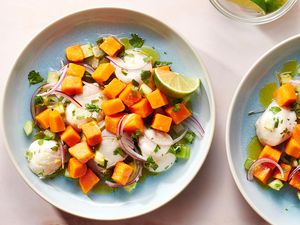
{"x":237,"y":13}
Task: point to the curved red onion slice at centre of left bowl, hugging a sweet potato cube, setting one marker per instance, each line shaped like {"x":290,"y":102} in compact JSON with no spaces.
{"x":126,"y":143}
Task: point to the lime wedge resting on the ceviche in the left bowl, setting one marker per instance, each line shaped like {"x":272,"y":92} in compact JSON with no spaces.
{"x":174,"y":84}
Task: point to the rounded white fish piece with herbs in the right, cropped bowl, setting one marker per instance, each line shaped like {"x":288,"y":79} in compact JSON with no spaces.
{"x":275,"y":127}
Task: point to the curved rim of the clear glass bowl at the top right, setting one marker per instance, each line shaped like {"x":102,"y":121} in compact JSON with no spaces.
{"x":255,"y":20}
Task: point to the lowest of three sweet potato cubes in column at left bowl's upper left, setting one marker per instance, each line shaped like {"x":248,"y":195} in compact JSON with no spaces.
{"x":72,"y":85}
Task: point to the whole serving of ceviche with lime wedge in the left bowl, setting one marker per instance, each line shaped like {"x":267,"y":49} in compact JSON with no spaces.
{"x":110,"y":113}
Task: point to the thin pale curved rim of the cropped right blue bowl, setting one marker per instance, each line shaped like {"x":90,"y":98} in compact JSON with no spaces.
{"x":246,"y":196}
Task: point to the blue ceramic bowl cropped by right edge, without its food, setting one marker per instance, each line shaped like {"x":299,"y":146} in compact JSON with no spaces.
{"x":281,"y":207}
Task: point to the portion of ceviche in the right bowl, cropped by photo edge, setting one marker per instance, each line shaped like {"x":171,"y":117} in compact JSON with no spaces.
{"x":274,"y":154}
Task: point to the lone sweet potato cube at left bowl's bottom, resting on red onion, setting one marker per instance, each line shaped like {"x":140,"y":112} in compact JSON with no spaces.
{"x":122,"y":173}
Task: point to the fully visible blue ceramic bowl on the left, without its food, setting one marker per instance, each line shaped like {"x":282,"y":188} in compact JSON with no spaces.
{"x":44,"y":52}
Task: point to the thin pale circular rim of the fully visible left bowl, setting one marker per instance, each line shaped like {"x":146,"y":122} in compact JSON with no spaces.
{"x":209,"y":91}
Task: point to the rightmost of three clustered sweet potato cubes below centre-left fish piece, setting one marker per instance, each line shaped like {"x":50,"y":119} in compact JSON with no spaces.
{"x":92,"y":133}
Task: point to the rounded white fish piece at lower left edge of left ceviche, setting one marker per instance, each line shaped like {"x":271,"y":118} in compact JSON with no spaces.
{"x":43,"y":160}
